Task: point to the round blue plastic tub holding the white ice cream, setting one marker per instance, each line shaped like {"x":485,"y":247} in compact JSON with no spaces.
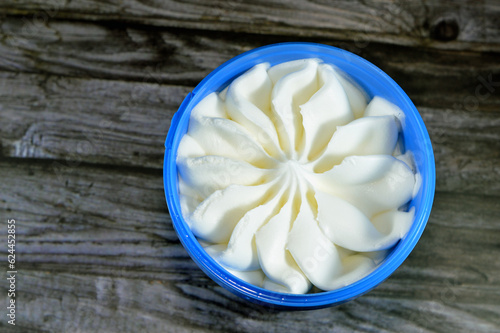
{"x":375,"y":82}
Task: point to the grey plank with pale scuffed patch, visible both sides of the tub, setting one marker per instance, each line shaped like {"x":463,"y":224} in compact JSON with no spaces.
{"x":125,"y":123}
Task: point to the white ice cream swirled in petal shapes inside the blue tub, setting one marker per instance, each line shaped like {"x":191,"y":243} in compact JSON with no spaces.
{"x":292,"y":179}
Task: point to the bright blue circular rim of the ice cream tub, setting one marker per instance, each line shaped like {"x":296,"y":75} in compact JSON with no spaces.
{"x":261,"y":295}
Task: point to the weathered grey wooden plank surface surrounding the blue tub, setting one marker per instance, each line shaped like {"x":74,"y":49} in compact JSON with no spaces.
{"x":87,"y":91}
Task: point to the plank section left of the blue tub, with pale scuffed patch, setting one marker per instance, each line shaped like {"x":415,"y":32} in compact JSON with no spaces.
{"x":108,"y":122}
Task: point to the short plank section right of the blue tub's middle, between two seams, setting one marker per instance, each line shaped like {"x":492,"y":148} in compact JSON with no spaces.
{"x":466,"y":149}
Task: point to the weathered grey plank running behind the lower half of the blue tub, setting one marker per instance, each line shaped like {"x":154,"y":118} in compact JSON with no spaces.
{"x":91,"y":221}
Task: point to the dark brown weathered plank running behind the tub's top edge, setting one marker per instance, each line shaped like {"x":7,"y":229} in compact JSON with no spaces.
{"x":431,"y":77}
